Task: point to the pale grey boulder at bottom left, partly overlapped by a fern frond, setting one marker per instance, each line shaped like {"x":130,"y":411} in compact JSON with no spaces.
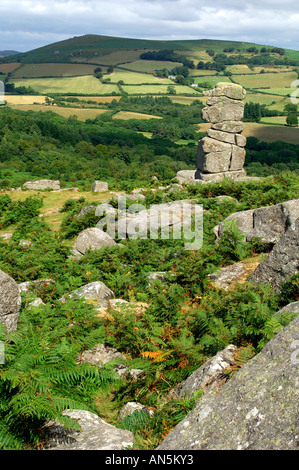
{"x":95,"y":434}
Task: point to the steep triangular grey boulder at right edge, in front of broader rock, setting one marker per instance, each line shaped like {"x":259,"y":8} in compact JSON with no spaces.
{"x":283,"y":261}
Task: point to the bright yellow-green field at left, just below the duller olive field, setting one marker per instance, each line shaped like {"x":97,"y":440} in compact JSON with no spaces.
{"x":86,"y":84}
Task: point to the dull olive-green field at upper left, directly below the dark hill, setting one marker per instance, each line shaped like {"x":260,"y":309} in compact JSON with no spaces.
{"x":53,"y":70}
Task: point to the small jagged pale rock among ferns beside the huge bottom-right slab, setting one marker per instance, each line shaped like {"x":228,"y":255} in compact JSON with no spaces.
{"x":209,"y":376}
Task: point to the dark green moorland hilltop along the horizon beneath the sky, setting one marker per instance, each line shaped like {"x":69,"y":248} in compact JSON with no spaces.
{"x":90,"y":48}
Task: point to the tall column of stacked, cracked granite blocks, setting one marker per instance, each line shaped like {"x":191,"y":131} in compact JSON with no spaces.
{"x":222,"y":153}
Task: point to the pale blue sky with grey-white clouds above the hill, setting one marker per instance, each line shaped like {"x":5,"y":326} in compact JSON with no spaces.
{"x":28,"y":24}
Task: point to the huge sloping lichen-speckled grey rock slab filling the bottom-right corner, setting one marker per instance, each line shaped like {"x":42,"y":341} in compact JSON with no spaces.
{"x":257,"y":409}
